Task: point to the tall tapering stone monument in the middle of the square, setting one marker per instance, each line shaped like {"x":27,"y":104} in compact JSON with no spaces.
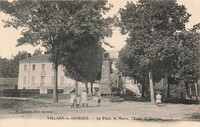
{"x":105,"y":82}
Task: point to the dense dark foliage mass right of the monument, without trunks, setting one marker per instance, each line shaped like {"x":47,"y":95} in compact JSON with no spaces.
{"x":155,"y":41}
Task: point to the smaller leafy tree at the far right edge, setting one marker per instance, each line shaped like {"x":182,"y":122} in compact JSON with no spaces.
{"x":188,"y":63}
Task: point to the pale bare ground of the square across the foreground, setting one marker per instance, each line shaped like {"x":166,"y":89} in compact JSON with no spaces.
{"x":43,"y":108}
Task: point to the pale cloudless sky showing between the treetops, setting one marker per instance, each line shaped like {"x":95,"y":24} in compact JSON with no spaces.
{"x":9,"y":36}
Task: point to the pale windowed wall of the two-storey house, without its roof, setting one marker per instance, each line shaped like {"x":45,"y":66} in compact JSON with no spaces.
{"x":37,"y":75}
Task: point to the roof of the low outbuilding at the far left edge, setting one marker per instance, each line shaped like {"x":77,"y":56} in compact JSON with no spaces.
{"x":8,"y":81}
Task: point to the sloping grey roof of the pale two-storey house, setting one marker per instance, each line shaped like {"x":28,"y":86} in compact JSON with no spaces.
{"x":37,"y":59}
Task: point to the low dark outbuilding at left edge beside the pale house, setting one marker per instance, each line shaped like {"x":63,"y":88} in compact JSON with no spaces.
{"x":8,"y":83}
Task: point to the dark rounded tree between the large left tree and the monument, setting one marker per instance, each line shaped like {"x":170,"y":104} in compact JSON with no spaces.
{"x":84,"y":65}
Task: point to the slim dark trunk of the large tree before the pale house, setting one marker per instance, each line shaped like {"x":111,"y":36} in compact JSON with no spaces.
{"x":55,"y":90}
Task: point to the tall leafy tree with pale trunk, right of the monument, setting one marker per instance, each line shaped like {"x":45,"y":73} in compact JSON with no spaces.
{"x":151,"y":26}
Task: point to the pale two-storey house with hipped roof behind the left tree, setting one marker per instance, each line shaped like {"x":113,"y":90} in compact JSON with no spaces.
{"x":37,"y":72}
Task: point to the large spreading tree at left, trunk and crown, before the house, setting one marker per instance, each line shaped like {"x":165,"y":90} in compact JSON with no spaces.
{"x":59,"y":26}
